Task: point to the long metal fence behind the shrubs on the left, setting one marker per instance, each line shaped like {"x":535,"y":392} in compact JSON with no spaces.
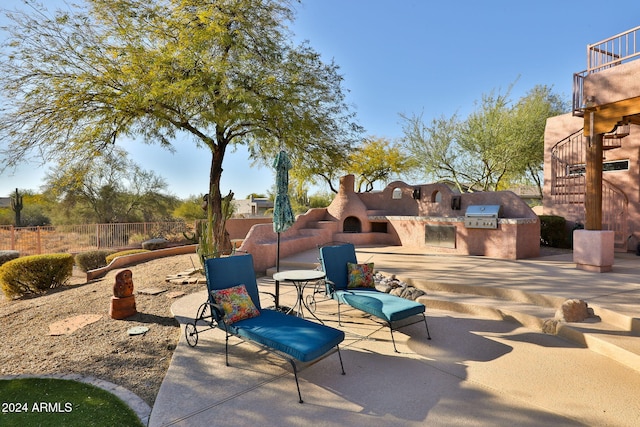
{"x":80,"y":238}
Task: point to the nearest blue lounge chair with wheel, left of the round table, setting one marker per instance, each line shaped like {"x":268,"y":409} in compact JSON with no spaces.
{"x":292,"y":338}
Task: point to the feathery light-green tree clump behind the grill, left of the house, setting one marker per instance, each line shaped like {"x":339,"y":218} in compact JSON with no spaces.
{"x":498,"y":144}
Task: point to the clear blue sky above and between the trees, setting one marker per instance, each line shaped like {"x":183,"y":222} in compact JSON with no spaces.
{"x":407,"y":56}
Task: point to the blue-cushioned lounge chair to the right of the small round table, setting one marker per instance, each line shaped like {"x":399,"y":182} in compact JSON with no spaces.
{"x":392,"y":310}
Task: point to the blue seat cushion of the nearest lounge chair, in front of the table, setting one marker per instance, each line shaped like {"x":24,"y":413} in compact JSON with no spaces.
{"x":299,"y":338}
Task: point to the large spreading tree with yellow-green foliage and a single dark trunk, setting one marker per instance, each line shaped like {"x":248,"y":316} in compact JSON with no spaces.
{"x":215,"y":73}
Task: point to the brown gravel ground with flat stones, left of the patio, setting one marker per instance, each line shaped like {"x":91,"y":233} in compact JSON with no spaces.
{"x":103,"y":349}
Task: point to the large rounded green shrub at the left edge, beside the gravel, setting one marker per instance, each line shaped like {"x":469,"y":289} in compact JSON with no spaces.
{"x":35,"y":274}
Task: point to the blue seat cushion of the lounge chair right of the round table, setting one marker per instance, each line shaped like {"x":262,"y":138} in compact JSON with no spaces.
{"x":380,"y":304}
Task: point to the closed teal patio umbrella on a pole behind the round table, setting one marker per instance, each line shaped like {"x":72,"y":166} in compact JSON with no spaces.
{"x":283,"y":217}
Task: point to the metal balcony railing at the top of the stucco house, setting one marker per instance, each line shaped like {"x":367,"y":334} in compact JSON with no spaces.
{"x":608,"y":53}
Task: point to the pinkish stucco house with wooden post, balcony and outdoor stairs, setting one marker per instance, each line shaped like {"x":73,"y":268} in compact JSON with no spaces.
{"x":592,"y":155}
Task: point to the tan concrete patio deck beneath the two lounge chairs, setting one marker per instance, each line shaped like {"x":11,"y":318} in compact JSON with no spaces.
{"x":478,"y":370}
